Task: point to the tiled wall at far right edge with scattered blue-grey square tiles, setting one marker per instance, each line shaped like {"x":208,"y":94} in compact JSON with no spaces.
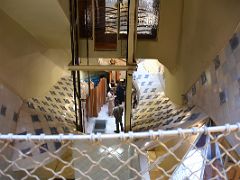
{"x":217,"y":91}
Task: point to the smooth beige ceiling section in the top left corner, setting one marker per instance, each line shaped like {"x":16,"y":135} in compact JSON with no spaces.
{"x":44,"y":19}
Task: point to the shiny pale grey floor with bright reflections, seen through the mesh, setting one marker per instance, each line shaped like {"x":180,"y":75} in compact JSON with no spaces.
{"x":112,"y":152}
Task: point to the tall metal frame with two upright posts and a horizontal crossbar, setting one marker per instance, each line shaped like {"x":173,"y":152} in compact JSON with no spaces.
{"x":75,"y":67}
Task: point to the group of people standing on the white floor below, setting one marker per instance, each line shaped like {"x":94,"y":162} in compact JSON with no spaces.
{"x":115,"y":104}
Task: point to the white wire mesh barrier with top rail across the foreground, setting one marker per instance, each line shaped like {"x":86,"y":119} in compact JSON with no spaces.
{"x":196,"y":153}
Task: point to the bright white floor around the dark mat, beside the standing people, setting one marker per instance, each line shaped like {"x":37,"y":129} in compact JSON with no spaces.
{"x":103,"y":115}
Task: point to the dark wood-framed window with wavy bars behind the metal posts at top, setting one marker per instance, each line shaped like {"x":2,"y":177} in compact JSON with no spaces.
{"x":107,"y":20}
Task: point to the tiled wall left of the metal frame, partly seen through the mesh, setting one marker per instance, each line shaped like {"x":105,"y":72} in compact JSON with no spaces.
{"x":52,"y":113}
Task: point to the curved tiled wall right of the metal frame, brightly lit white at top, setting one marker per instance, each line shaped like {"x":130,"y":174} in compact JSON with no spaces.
{"x":156,"y":111}
